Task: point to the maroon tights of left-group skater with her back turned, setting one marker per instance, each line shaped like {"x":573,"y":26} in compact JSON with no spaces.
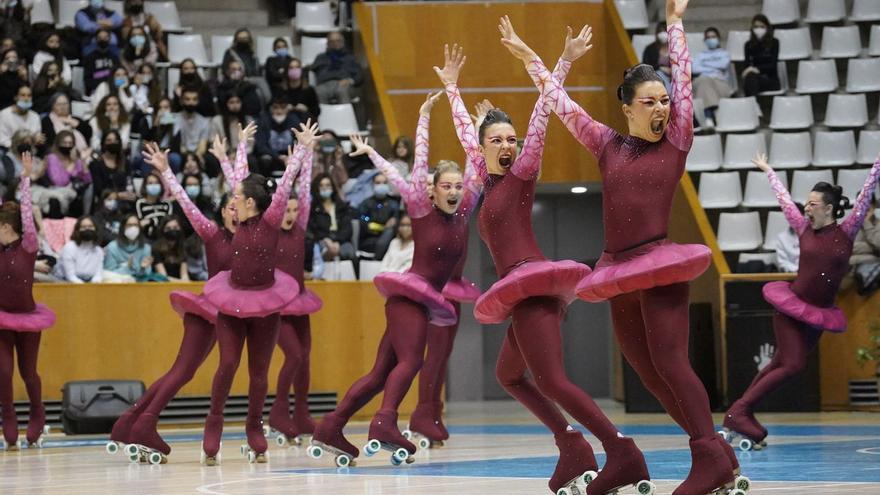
{"x":261,"y":335}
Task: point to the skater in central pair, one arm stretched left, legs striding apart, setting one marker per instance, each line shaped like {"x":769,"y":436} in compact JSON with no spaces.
{"x":413,"y":298}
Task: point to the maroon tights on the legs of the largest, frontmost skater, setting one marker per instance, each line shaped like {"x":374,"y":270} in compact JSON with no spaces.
{"x":652,"y":329}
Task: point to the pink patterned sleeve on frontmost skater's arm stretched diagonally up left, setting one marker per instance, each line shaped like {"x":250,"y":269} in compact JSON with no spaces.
{"x":592,"y":134}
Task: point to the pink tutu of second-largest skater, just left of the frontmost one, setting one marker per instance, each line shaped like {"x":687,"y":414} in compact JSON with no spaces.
{"x":534,"y":279}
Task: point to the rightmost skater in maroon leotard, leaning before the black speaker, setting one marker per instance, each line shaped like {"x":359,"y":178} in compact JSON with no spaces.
{"x":804,"y":307}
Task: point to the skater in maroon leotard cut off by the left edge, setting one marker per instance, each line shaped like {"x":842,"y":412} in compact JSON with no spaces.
{"x":21,"y":319}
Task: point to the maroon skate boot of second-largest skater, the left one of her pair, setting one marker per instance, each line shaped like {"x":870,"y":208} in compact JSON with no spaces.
{"x":576,"y":466}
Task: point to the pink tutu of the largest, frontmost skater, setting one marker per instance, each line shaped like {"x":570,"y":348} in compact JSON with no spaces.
{"x":650,"y":265}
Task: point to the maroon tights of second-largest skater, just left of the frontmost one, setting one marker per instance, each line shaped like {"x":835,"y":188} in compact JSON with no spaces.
{"x":534,"y":342}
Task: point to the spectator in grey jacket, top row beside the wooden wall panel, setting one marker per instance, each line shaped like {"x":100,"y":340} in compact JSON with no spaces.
{"x":337,"y":71}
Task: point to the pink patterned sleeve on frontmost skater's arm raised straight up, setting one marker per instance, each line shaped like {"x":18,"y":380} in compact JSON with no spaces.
{"x":681,"y":119}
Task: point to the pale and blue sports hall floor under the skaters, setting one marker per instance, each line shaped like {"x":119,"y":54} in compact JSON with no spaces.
{"x":496,"y":447}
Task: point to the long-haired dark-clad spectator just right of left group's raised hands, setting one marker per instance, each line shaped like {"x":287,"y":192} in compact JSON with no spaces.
{"x":330,"y":221}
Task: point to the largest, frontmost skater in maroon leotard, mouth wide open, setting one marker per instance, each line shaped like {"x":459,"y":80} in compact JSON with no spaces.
{"x":645,"y":276}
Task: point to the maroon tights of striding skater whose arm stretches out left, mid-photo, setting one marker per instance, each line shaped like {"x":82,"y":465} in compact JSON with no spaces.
{"x":400,"y":356}
